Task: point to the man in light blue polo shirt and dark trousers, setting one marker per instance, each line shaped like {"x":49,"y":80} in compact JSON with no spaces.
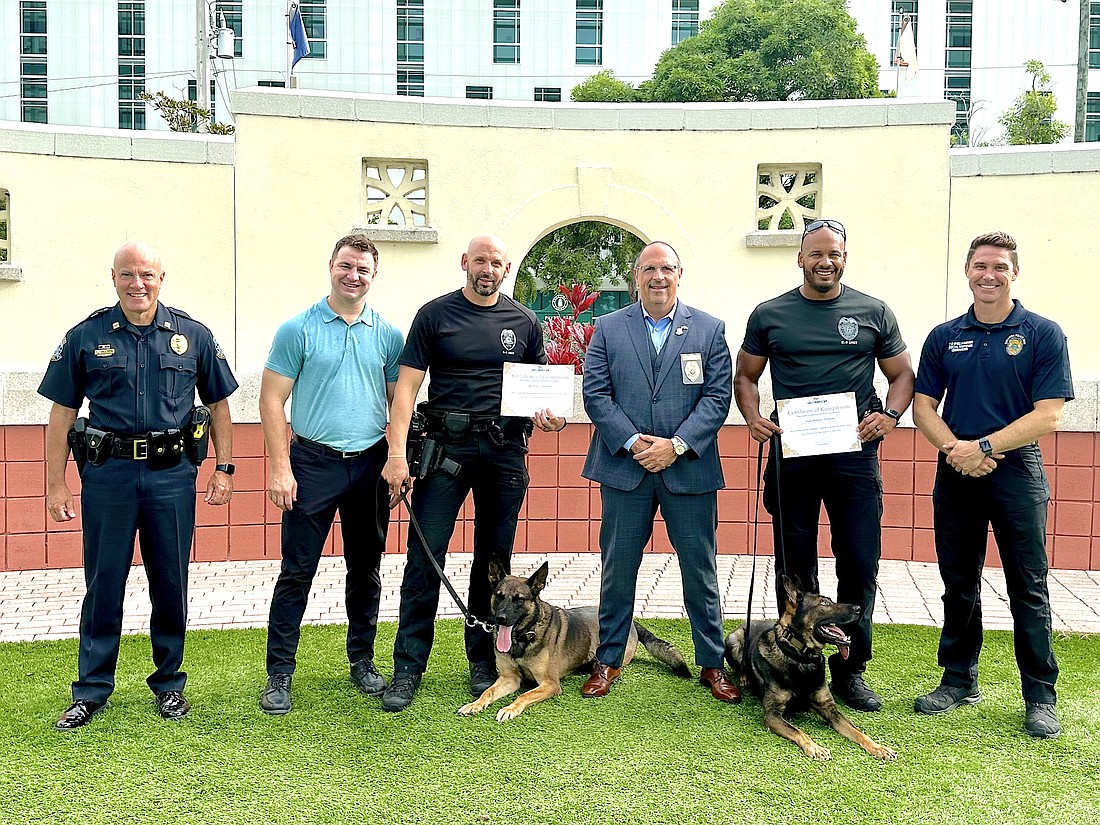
{"x":338,"y":362}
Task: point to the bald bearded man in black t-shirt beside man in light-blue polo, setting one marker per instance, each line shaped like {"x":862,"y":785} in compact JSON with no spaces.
{"x":465,"y":338}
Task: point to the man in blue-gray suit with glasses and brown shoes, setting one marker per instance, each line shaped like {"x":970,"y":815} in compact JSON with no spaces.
{"x":658,"y":387}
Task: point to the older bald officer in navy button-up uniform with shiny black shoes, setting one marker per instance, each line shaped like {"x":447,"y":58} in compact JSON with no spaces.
{"x":139,"y":365}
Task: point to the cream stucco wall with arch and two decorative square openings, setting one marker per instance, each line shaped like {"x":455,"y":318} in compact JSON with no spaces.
{"x":246,"y":226}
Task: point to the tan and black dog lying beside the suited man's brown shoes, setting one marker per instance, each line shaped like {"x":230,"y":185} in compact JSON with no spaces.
{"x":540,"y":642}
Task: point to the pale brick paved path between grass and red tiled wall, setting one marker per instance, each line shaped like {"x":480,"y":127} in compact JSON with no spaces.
{"x":46,"y":604}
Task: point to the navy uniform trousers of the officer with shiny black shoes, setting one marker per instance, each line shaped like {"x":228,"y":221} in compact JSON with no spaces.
{"x":119,"y":500}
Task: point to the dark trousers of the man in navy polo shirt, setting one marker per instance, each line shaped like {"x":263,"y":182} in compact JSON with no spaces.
{"x":1014,"y":500}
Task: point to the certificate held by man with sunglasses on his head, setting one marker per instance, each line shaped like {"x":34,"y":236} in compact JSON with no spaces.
{"x":819,"y":425}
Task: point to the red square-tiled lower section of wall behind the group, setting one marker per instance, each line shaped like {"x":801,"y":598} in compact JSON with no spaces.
{"x":563,"y":510}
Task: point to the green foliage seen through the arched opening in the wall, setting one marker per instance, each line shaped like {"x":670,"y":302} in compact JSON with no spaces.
{"x":589,"y":254}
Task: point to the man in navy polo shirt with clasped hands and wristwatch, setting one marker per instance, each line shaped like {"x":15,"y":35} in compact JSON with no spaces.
{"x":1006,"y":375}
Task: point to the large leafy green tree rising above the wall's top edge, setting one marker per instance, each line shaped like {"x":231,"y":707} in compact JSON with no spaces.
{"x":766,"y":50}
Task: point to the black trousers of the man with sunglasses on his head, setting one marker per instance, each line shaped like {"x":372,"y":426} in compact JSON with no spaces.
{"x":851,"y":488}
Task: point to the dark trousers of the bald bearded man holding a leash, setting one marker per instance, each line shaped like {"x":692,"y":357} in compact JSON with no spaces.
{"x":497,"y":475}
